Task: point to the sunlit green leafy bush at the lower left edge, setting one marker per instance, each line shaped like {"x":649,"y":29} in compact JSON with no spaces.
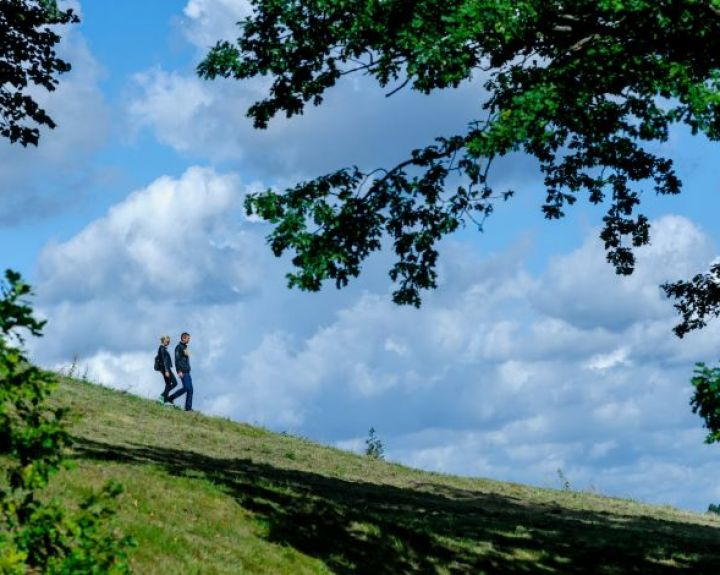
{"x":37,"y":534}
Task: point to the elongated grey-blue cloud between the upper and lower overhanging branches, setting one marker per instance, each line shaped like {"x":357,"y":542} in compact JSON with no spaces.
{"x":355,"y":125}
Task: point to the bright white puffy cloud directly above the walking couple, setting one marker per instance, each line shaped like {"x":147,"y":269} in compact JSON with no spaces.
{"x":165,"y":240}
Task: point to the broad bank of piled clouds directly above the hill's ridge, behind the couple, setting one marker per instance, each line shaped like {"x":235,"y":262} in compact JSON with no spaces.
{"x":502,"y":373}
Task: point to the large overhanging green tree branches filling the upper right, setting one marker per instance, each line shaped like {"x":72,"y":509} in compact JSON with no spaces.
{"x":585,"y":87}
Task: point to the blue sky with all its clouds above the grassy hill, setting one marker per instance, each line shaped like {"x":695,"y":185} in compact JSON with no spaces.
{"x":532,"y":356}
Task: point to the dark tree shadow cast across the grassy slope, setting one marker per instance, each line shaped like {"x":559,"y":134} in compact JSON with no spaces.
{"x":363,"y":528}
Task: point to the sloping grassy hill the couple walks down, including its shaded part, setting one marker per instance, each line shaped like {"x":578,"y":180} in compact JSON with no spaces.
{"x":207,"y":495}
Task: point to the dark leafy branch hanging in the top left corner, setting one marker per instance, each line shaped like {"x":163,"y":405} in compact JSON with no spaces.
{"x":27,"y":58}
